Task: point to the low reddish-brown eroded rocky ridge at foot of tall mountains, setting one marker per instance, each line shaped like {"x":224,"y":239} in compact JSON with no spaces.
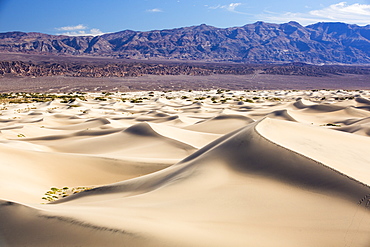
{"x":98,"y":70}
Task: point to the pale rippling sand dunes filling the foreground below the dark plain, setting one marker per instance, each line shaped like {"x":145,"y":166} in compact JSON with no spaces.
{"x":199,"y":168}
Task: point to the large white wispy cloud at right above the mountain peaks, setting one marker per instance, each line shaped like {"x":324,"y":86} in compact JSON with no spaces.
{"x":340,"y":12}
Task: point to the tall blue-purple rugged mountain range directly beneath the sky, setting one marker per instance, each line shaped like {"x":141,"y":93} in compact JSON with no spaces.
{"x":328,"y":43}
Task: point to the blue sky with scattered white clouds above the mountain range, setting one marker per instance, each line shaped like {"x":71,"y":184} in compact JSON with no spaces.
{"x":96,"y":17}
